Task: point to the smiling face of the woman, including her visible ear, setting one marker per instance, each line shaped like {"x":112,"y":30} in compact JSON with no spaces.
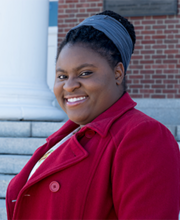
{"x":85,"y":84}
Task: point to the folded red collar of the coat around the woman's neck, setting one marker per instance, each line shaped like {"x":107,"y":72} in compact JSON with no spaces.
{"x":102,"y":123}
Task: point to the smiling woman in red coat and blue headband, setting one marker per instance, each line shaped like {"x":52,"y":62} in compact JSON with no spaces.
{"x":109,"y":161}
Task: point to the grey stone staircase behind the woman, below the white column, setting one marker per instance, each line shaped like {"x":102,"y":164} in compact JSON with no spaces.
{"x":18,"y":141}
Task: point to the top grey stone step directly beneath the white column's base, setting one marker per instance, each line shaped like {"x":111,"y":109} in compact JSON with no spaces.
{"x":28,"y":129}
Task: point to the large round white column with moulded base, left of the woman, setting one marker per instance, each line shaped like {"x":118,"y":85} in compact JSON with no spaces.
{"x":24,"y":94}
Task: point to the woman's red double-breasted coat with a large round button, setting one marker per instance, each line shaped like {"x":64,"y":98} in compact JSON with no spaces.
{"x":123,"y":165}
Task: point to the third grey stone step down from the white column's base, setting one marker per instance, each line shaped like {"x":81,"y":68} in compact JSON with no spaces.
{"x":12,"y":164}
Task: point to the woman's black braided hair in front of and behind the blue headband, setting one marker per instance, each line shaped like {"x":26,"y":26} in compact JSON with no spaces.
{"x":98,"y":41}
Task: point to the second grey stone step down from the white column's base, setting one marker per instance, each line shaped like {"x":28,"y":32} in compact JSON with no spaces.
{"x":10,"y":145}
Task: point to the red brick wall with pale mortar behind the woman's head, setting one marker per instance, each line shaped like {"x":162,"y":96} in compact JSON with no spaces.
{"x":154,"y":71}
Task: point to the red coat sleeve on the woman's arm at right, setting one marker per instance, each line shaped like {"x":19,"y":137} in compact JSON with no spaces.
{"x":146,"y":174}
